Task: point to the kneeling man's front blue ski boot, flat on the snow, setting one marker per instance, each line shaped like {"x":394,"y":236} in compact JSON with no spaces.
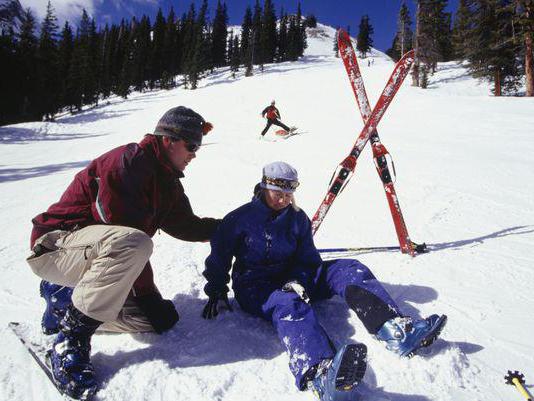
{"x":69,"y":357}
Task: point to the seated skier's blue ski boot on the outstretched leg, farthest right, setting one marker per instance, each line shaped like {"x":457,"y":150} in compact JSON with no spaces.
{"x":405,"y":336}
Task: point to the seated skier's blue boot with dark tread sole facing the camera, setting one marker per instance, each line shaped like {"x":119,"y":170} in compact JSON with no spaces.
{"x":338,"y":379}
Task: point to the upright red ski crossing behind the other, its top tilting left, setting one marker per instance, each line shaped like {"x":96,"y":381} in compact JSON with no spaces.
{"x":379,"y":150}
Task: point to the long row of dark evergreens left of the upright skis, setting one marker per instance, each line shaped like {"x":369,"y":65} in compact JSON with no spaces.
{"x":57,"y":70}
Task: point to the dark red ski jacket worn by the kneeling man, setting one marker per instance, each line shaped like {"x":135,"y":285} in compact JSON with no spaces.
{"x":133,"y":185}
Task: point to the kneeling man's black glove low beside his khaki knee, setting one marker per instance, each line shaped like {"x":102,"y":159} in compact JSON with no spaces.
{"x":160,"y":312}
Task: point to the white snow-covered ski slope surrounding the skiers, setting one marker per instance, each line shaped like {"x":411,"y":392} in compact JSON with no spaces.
{"x":465,"y":183}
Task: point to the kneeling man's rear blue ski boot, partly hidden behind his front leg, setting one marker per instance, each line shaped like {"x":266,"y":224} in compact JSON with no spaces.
{"x":57,"y":299}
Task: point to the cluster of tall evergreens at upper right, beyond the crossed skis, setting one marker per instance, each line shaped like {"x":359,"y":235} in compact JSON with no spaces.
{"x":493,"y":37}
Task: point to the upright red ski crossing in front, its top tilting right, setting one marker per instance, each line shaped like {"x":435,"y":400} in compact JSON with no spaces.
{"x":346,"y":168}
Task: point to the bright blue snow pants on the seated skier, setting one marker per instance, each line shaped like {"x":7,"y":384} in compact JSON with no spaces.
{"x":295,"y":322}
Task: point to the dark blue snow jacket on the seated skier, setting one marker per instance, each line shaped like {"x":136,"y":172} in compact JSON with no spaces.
{"x":268,"y":246}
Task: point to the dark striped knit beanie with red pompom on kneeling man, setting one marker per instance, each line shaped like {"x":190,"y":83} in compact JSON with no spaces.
{"x":182,"y":123}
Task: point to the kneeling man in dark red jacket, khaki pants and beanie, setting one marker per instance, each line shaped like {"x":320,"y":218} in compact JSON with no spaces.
{"x":92,"y":247}
